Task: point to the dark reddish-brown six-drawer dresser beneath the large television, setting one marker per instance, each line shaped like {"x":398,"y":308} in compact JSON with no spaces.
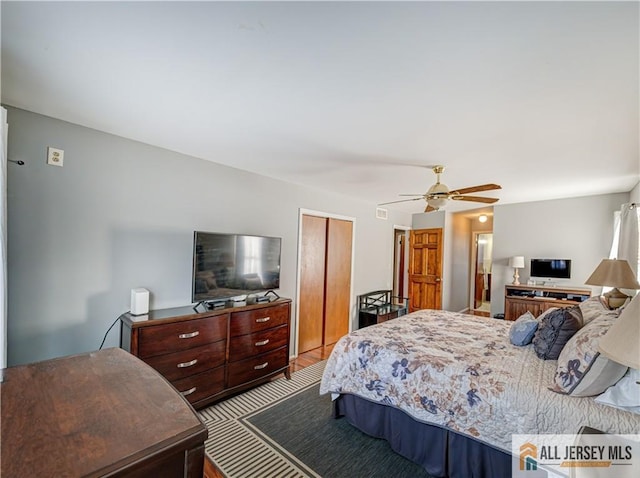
{"x":214,"y":353}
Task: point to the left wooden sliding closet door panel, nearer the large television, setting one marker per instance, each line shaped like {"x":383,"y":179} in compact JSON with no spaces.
{"x":312,"y":279}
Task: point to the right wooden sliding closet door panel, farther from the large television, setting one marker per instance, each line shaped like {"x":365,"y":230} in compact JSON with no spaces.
{"x":338,"y":280}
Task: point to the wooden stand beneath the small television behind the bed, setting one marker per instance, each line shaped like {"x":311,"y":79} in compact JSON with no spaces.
{"x":519,"y":299}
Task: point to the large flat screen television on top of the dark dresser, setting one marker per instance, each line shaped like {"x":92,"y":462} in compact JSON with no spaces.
{"x":233,"y":265}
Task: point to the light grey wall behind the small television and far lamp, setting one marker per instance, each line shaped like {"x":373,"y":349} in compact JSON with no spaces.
{"x":580,"y":229}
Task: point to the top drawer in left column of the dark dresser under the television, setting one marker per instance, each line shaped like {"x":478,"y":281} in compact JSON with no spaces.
{"x":161,"y":339}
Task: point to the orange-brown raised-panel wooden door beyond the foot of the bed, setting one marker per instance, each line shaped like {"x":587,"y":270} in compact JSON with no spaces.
{"x":425,"y":269}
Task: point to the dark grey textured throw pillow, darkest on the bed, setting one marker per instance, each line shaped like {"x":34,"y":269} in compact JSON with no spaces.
{"x":555,"y":330}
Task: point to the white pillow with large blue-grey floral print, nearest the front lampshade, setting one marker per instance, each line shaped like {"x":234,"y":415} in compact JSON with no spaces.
{"x":582,"y":371}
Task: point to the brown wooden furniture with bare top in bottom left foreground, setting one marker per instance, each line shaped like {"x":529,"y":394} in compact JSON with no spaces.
{"x":104,"y":413}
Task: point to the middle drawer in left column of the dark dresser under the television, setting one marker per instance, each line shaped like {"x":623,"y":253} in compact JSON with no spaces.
{"x":178,"y":365}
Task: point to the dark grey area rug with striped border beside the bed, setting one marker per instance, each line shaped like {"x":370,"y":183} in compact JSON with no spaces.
{"x":285,"y":429}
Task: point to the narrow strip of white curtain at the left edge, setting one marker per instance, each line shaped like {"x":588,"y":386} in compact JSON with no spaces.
{"x":3,"y":242}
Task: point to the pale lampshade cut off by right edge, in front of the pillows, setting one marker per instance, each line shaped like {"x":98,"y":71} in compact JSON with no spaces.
{"x":622,"y":342}
